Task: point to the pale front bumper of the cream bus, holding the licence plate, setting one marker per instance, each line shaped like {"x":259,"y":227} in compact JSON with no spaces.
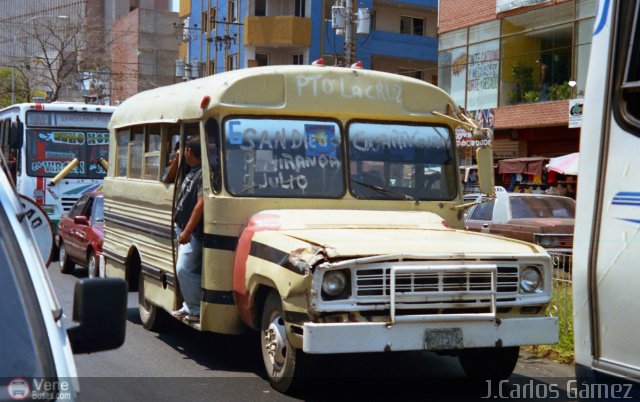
{"x":405,"y":336}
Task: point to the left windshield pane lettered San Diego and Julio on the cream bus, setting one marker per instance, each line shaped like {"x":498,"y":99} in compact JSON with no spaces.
{"x":283,"y":158}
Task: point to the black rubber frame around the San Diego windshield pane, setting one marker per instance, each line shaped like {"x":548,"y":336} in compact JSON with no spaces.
{"x":307,"y":118}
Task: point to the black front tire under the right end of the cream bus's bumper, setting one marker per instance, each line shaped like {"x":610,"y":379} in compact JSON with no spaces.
{"x":489,"y":363}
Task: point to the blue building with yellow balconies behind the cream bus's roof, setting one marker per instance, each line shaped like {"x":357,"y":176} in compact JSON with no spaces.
{"x":229,"y":34}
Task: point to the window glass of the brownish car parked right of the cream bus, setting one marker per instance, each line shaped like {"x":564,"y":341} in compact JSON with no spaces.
{"x":542,"y":207}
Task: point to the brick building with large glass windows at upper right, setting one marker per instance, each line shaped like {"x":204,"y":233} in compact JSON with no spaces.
{"x":515,"y":65}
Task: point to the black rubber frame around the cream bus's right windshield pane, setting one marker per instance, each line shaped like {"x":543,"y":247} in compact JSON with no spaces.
{"x":456,"y":185}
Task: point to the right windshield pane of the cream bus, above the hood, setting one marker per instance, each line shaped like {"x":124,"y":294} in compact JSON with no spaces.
{"x":400,"y":161}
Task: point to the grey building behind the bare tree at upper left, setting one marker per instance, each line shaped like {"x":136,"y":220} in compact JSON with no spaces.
{"x":89,"y":21}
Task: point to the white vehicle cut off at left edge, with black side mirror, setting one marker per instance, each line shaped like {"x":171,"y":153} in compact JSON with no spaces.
{"x":36,"y":342}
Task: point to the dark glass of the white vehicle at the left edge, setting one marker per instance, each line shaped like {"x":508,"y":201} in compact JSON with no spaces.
{"x":24,"y":345}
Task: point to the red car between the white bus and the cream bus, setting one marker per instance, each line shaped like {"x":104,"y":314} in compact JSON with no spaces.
{"x":81,"y":233}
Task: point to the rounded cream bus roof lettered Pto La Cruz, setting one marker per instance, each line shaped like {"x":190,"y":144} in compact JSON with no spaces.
{"x":301,"y":90}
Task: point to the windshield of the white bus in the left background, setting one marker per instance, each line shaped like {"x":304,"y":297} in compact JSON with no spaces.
{"x":50,"y":150}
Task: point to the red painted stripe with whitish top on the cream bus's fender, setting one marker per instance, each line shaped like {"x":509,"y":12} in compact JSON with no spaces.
{"x":258,"y":223}
